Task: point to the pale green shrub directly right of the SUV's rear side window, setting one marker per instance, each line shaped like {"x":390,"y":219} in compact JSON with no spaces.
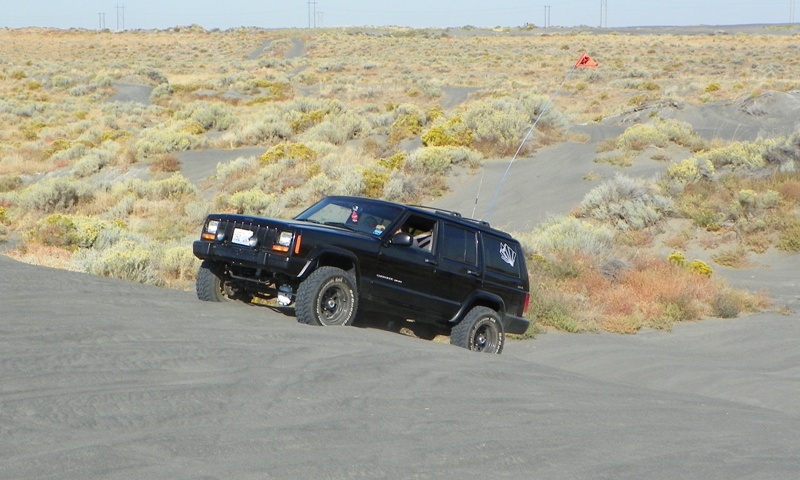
{"x":563,"y":236}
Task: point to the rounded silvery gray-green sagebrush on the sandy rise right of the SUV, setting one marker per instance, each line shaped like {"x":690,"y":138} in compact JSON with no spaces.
{"x":626,"y":203}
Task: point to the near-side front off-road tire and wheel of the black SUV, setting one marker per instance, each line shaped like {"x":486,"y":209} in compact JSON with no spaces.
{"x":327,"y":297}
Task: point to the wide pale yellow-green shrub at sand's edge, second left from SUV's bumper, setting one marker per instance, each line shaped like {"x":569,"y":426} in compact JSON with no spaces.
{"x":124,"y":260}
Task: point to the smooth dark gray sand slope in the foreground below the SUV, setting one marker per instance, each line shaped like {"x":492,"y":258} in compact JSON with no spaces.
{"x":102,"y":379}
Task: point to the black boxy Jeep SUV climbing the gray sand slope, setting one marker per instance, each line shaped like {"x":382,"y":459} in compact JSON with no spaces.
{"x":430,"y":270}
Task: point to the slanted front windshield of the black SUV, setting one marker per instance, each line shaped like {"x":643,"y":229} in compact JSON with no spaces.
{"x":357,"y":214}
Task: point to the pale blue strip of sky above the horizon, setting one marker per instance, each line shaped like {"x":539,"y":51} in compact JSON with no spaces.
{"x":210,"y":14}
